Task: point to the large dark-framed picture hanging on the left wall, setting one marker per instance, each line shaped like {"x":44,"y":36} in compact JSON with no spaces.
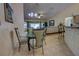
{"x":8,"y":12}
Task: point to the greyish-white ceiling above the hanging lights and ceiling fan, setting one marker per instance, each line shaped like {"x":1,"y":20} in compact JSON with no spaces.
{"x":48,"y":10}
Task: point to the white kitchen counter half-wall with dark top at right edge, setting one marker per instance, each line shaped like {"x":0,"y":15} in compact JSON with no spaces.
{"x":72,"y":39}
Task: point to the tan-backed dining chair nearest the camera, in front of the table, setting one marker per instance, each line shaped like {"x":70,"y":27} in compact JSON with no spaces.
{"x":39,"y":36}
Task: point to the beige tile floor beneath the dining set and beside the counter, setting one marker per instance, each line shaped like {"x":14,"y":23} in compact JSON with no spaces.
{"x":53,"y":47}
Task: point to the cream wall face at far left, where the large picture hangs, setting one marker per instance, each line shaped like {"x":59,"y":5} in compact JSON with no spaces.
{"x":5,"y":39}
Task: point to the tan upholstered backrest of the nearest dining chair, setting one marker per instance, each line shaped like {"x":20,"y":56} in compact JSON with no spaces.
{"x":39,"y":37}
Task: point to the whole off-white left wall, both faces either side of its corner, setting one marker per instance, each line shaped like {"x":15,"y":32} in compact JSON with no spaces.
{"x":6,"y":27}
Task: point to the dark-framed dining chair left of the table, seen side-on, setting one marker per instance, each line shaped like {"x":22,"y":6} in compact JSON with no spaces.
{"x":21,"y":39}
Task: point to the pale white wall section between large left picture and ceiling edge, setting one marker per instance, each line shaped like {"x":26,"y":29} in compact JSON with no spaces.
{"x":18,"y":16}
